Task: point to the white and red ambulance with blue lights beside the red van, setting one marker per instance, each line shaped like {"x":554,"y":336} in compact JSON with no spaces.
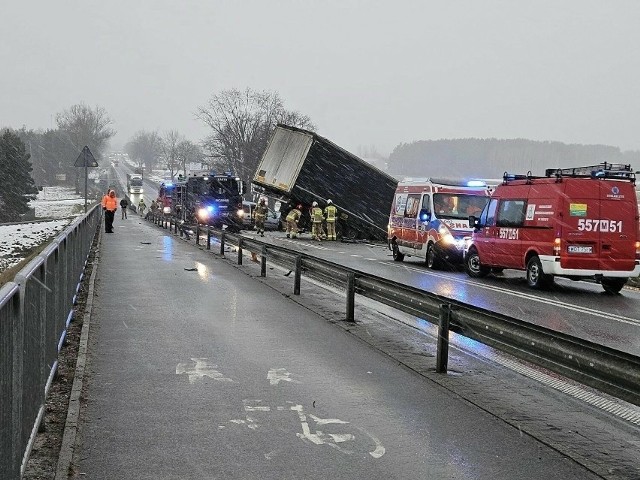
{"x":429,"y":218}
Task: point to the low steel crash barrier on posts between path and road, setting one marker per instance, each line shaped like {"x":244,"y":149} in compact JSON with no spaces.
{"x":608,"y":370}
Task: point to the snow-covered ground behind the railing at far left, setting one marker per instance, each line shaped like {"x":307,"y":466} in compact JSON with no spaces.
{"x":60,"y":204}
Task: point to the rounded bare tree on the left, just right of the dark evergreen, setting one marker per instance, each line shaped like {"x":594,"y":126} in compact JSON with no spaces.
{"x":86,"y":126}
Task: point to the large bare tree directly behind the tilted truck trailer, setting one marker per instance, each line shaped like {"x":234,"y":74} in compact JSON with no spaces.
{"x":241,"y":123}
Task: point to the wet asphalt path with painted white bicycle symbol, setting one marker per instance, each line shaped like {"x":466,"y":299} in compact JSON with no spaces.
{"x":199,"y":369}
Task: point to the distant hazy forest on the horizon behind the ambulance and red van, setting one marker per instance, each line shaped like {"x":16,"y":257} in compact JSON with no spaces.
{"x":491,"y":158}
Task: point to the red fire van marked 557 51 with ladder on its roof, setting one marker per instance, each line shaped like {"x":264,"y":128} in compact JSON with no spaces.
{"x":573,"y":222}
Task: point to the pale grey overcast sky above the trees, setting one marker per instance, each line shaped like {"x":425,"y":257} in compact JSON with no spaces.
{"x":366,"y":72}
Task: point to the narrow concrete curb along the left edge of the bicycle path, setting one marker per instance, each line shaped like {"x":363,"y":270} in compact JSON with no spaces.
{"x":73,"y":414}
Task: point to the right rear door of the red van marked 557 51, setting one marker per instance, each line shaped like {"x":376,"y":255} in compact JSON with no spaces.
{"x":618,"y":225}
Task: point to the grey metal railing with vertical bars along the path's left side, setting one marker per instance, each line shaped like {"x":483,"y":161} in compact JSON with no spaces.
{"x":35,"y":312}
